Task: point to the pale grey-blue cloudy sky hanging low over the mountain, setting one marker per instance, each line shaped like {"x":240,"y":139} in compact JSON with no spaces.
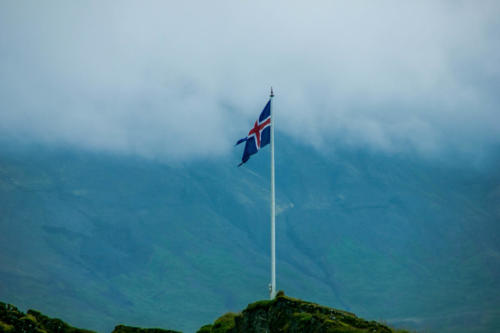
{"x":186,"y":79}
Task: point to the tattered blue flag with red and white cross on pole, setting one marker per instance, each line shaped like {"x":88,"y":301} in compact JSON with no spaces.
{"x":259,"y":136}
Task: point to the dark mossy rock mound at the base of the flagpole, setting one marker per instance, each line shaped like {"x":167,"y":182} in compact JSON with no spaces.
{"x":286,"y":314}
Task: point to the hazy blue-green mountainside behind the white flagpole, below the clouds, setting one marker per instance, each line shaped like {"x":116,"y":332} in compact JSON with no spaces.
{"x":101,"y":238}
